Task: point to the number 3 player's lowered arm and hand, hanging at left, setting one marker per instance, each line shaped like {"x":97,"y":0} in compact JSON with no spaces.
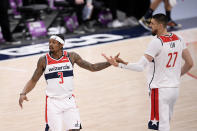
{"x":32,"y":82}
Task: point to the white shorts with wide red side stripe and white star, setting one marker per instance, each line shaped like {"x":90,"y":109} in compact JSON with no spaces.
{"x":162,"y":104}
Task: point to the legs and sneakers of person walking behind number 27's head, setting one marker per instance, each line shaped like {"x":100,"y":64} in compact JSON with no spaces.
{"x":169,"y":4}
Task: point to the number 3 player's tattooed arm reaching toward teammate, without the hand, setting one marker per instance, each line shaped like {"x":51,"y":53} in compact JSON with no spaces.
{"x":75,"y":58}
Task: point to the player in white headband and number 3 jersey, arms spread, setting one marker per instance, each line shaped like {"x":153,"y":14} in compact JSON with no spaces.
{"x":57,"y":65}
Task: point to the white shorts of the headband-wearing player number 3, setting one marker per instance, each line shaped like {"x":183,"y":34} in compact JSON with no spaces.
{"x":62,"y":114}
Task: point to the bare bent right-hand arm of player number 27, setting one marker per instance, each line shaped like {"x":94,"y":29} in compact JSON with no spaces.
{"x":188,"y":62}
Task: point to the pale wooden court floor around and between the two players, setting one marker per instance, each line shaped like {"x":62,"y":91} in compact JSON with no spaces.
{"x":110,"y":100}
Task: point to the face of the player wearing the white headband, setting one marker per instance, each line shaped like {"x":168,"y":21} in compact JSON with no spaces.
{"x":54,"y":46}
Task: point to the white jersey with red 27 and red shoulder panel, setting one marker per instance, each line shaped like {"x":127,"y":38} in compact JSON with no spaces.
{"x":165,"y":70}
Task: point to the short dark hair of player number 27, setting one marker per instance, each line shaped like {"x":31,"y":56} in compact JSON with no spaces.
{"x":161,"y":18}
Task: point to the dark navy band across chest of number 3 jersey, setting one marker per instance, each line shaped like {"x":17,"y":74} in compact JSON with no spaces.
{"x":55,"y":74}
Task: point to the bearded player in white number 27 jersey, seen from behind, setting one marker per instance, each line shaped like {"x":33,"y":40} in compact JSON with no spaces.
{"x":164,"y":58}
